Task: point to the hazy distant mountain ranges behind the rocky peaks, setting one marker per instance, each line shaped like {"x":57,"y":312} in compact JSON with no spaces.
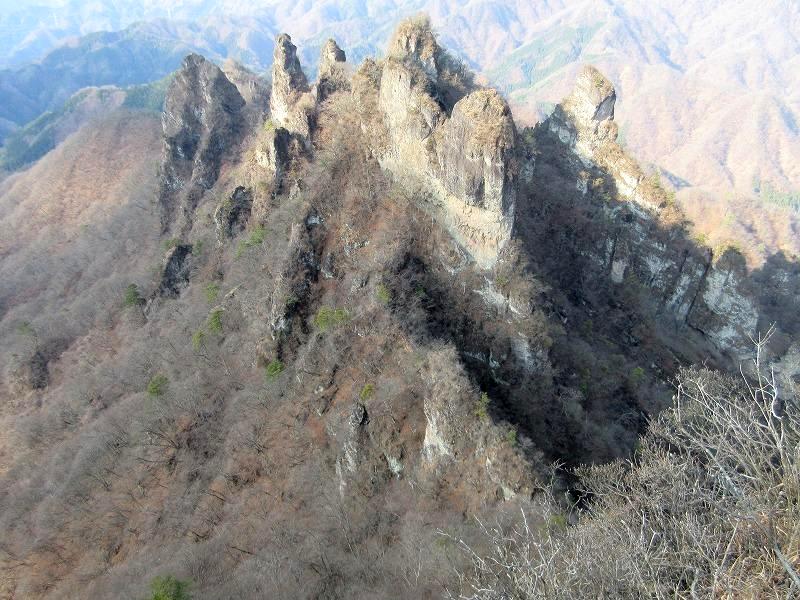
{"x":707,"y":90}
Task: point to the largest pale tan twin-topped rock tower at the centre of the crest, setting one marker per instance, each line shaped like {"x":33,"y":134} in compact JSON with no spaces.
{"x":463,"y":160}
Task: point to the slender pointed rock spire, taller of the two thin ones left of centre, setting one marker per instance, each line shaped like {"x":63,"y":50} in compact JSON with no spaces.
{"x":291,"y":101}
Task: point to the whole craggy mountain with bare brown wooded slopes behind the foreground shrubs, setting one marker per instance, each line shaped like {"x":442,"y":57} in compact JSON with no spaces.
{"x":315,"y":334}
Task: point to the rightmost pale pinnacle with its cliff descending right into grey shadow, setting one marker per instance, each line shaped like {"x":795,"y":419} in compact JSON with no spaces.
{"x":641,"y":239}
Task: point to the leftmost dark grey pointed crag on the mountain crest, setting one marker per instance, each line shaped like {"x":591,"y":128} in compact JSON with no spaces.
{"x":203,"y":125}
